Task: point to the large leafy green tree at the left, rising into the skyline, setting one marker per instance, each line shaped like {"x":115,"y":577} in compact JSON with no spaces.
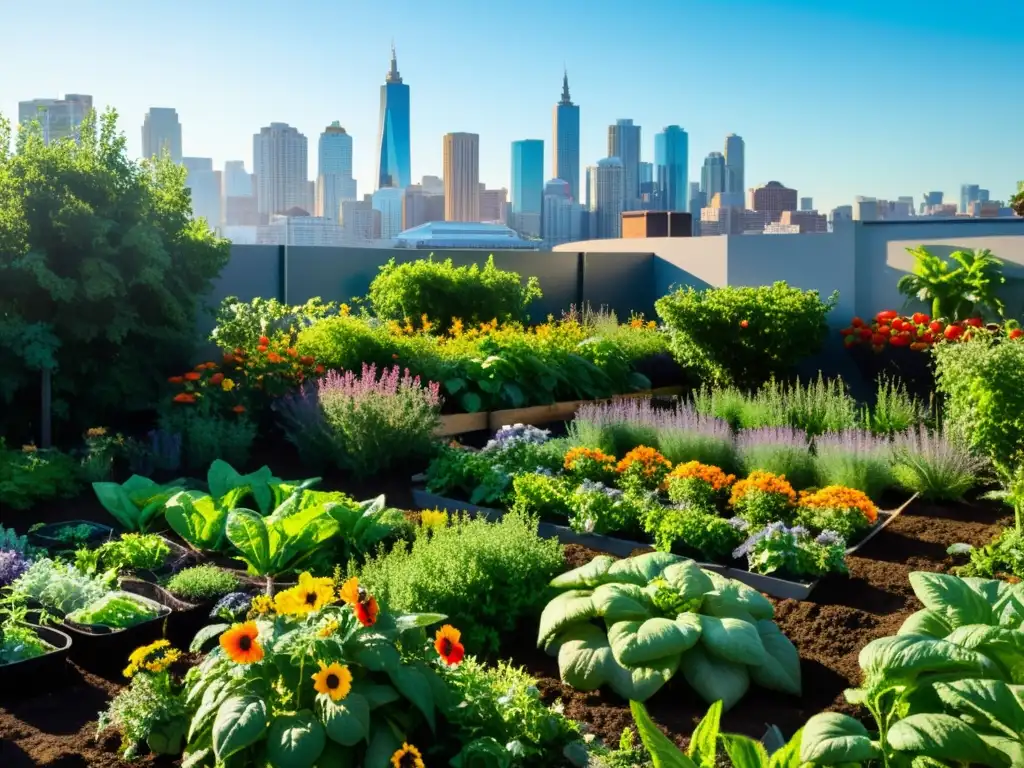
{"x":102,"y":274}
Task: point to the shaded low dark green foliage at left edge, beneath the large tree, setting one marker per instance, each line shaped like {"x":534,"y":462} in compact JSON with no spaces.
{"x":30,"y":477}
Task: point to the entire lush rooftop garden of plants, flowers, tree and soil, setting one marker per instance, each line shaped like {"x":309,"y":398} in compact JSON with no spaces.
{"x":422,"y":528}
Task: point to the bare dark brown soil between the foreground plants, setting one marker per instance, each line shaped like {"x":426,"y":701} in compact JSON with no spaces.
{"x":843,"y":615}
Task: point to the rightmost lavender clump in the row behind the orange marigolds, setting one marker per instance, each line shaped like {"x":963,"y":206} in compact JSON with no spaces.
{"x":930,"y":463}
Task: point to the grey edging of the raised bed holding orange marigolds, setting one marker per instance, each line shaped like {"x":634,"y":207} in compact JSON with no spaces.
{"x":770,"y":585}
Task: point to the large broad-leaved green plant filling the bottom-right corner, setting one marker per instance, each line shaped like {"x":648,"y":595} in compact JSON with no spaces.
{"x":946,"y":690}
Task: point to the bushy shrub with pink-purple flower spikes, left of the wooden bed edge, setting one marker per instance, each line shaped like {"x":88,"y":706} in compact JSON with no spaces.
{"x":363,"y":423}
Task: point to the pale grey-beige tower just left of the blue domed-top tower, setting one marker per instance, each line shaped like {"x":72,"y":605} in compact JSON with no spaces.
{"x":280,"y":161}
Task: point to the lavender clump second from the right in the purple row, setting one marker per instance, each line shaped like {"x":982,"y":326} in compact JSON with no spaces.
{"x":855,"y":458}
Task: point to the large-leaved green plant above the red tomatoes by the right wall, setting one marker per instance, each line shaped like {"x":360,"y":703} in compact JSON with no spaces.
{"x":959,"y":288}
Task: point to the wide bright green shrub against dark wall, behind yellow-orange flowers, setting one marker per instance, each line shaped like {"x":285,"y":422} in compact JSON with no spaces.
{"x":444,"y":292}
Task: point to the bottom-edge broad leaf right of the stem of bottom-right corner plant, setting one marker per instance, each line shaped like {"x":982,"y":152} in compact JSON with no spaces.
{"x":944,"y":738}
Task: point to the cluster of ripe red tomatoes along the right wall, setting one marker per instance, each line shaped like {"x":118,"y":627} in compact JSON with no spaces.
{"x":919,"y":331}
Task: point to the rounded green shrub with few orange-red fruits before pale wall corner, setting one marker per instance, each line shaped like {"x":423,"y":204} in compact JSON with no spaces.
{"x":745,"y":335}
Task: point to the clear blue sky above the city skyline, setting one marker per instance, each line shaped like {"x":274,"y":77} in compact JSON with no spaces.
{"x":869,"y":98}
